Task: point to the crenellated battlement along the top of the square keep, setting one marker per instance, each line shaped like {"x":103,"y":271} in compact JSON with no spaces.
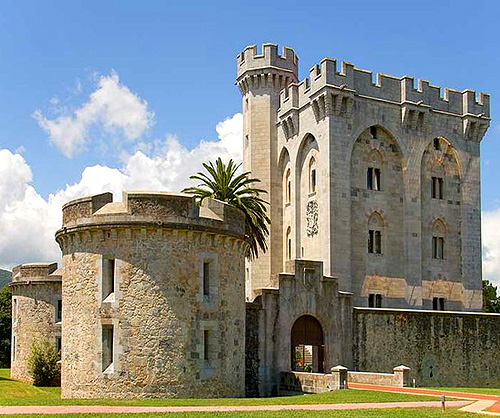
{"x":399,"y":90}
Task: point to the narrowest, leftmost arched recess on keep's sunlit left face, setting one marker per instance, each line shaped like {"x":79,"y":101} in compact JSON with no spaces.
{"x":285,"y":202}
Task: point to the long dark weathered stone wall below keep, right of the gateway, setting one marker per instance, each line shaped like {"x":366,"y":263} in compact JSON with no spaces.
{"x":441,"y":348}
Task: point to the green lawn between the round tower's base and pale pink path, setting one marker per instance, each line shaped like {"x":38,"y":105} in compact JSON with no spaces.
{"x":17,"y":393}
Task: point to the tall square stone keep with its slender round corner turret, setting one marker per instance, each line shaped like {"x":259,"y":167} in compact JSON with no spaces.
{"x":376,"y":176}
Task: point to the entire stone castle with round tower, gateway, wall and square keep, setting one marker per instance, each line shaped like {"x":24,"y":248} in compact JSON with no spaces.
{"x":374,"y":255}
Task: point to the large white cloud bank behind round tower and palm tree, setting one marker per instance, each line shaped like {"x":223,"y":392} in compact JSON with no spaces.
{"x":28,"y":221}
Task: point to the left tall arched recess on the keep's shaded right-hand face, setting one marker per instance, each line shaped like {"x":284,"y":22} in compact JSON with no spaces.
{"x":377,"y":187}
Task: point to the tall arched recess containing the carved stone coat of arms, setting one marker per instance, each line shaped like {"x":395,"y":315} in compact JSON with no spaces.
{"x":308,"y":183}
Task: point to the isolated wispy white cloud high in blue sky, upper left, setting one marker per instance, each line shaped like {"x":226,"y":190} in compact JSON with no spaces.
{"x":112,"y":108}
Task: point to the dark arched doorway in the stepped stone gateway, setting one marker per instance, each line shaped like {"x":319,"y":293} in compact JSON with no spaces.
{"x":307,"y":345}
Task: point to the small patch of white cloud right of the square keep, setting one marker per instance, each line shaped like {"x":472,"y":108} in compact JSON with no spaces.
{"x":491,"y":246}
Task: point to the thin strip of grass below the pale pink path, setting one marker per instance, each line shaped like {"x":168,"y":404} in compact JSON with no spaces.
{"x":380,"y":413}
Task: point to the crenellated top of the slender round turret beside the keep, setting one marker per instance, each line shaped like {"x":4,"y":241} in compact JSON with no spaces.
{"x":250,"y":59}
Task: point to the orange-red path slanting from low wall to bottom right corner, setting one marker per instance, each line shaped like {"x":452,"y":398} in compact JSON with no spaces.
{"x":486,"y":404}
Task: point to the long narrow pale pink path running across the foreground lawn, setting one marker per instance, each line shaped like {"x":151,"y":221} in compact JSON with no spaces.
{"x":74,"y":409}
